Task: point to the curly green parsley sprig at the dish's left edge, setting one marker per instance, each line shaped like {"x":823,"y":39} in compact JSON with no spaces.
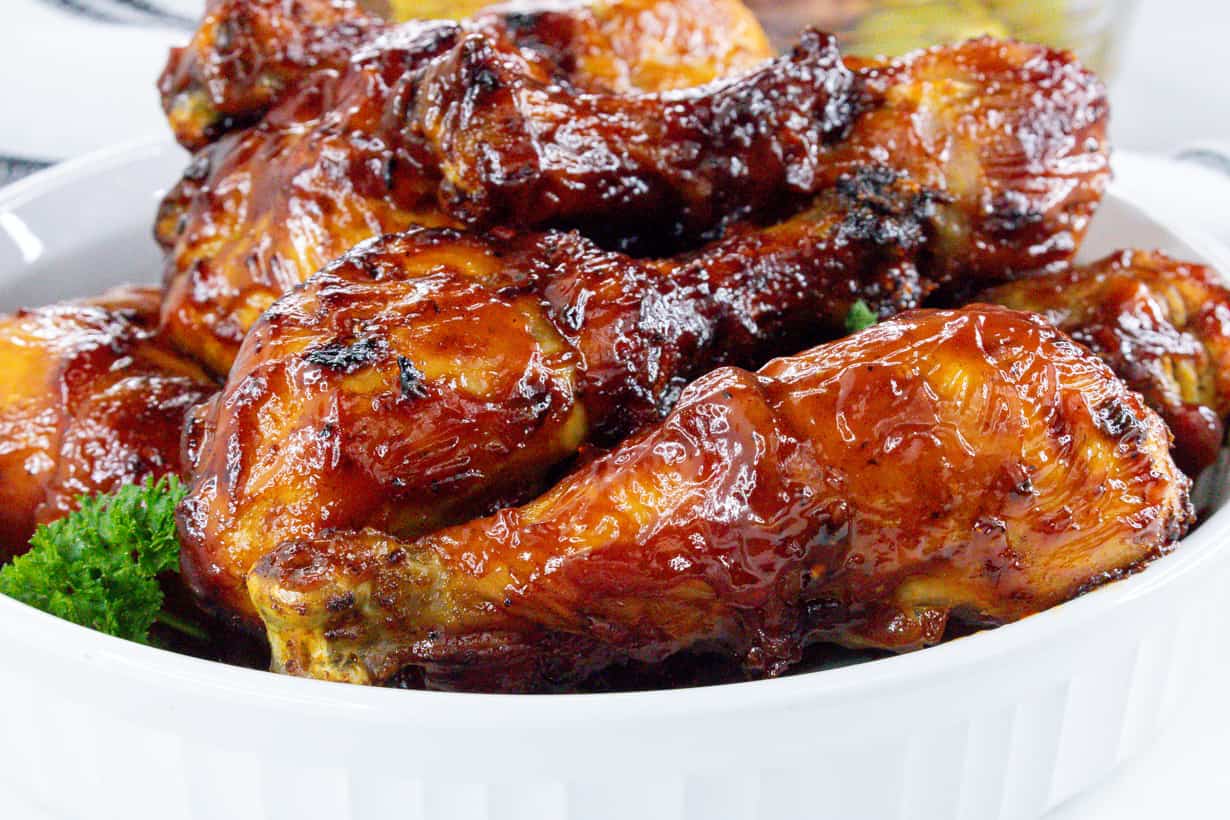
{"x":99,"y":567}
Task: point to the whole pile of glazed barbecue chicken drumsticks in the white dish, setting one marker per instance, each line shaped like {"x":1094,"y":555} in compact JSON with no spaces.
{"x":514,"y":350}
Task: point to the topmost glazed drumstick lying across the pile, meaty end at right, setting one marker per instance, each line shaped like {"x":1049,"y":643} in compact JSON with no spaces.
{"x":1012,"y":133}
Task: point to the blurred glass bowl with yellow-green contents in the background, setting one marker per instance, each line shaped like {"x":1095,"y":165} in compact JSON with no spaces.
{"x":1092,"y":29}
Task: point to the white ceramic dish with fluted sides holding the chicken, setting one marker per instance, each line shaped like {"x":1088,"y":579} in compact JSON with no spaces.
{"x":1001,"y":725}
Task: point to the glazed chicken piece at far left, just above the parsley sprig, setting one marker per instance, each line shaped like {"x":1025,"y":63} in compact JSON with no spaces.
{"x":94,"y":400}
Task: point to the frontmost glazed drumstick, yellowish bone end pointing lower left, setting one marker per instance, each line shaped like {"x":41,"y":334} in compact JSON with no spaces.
{"x":974,"y":467}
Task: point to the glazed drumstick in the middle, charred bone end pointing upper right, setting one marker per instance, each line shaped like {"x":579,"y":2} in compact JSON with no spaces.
{"x":429,"y":377}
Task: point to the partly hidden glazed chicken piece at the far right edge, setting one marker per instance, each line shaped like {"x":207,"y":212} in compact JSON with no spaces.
{"x":1163,"y":326}
